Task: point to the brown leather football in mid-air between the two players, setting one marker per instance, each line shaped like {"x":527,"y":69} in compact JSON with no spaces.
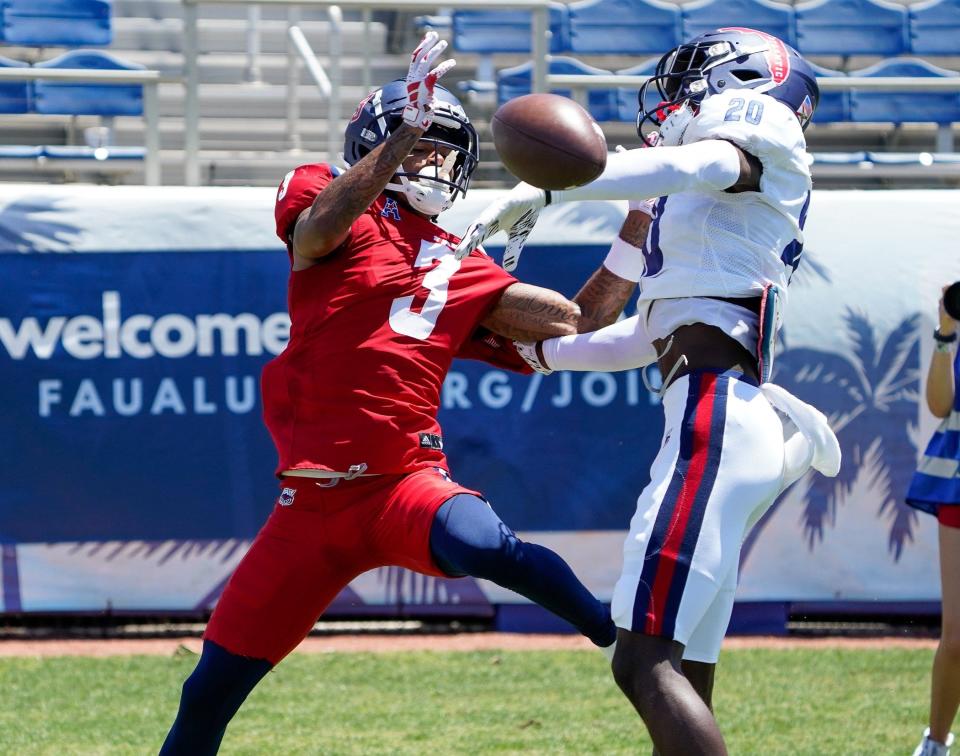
{"x":549,"y":141}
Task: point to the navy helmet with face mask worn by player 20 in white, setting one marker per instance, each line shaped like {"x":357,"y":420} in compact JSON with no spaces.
{"x":728,"y":58}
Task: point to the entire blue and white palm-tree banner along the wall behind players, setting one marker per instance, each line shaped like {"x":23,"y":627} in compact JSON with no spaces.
{"x":135,"y":322}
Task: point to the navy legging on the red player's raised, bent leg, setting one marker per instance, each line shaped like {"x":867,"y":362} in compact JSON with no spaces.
{"x":468,"y":538}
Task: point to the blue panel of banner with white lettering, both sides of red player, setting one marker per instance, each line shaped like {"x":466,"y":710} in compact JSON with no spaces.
{"x":132,"y":393}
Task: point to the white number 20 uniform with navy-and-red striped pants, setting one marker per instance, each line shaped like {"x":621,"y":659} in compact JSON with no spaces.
{"x":723,"y":459}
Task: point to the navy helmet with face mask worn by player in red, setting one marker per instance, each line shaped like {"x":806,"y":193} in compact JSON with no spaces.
{"x":431,"y":190}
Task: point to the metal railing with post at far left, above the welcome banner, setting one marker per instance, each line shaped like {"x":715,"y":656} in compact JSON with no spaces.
{"x":151,"y":103}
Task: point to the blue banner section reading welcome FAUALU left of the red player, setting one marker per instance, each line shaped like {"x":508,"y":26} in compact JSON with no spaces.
{"x":131,"y":394}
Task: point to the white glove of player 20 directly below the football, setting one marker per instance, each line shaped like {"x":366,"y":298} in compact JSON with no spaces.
{"x":516,"y":212}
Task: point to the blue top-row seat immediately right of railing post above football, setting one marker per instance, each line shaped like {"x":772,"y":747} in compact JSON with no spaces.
{"x":624,"y":27}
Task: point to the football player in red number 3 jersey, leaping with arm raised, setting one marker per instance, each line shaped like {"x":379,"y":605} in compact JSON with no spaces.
{"x":380,"y":306}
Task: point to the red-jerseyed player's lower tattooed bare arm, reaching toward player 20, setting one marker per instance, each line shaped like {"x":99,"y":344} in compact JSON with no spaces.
{"x":531,"y":313}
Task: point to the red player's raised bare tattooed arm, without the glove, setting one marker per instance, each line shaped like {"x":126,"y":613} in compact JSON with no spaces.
{"x":325,"y":225}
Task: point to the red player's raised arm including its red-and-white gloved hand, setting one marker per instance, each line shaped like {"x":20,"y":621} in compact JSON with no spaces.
{"x":325,"y":225}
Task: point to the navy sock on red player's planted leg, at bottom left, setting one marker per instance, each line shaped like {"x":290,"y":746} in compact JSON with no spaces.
{"x":211,"y":696}
